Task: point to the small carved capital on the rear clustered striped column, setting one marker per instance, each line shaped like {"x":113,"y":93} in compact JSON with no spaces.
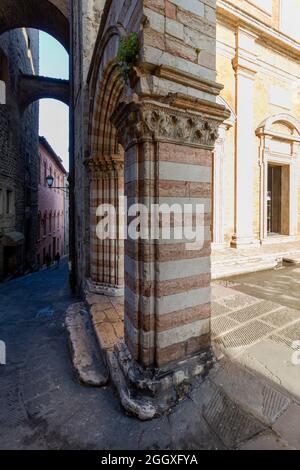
{"x":105,"y":166}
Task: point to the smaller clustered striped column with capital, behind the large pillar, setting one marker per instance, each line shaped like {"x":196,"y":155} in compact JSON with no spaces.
{"x":106,"y":255}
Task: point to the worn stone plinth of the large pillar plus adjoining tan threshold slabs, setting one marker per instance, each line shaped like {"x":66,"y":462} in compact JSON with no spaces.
{"x":145,"y":393}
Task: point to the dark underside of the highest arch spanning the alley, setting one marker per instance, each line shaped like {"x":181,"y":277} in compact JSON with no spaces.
{"x":46,"y":15}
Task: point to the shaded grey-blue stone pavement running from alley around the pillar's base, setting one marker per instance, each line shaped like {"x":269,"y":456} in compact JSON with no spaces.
{"x":42,"y":405}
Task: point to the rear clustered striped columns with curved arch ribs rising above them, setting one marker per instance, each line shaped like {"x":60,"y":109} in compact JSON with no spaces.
{"x":106,"y":165}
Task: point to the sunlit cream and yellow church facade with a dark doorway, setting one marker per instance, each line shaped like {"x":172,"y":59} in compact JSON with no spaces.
{"x":256,"y":160}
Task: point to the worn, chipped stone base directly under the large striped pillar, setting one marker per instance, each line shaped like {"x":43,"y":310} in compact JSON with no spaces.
{"x":148,"y":393}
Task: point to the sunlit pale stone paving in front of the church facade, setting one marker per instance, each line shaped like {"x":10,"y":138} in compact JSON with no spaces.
{"x":256,"y":322}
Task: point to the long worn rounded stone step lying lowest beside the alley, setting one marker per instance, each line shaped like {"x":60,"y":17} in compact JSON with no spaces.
{"x":85,"y":351}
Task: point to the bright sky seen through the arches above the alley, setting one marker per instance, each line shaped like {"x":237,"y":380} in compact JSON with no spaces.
{"x":54,"y":115}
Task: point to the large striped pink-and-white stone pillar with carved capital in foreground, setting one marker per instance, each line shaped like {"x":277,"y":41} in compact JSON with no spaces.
{"x":168,"y":160}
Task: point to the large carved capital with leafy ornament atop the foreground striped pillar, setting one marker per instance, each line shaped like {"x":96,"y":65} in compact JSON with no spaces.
{"x":148,"y":121}
